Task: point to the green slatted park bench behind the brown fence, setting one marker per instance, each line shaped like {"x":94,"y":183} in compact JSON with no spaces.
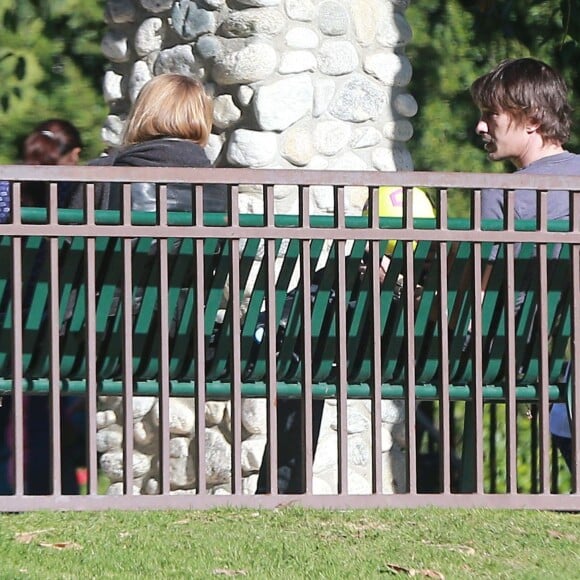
{"x":521,"y":351}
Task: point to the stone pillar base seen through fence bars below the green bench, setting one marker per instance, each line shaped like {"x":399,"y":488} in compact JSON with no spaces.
{"x":218,"y":435}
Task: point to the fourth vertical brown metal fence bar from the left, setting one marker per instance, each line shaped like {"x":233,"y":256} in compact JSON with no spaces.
{"x":127,"y":362}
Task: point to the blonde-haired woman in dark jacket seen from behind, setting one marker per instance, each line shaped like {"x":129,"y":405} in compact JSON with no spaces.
{"x":168,"y":126}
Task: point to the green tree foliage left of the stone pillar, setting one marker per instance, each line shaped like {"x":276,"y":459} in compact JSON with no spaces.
{"x":51,"y":65}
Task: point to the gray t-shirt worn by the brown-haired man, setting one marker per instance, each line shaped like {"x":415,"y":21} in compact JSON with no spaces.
{"x":492,"y":201}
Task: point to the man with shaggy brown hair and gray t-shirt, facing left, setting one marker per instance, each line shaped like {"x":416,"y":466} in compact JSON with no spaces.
{"x":526,"y":118}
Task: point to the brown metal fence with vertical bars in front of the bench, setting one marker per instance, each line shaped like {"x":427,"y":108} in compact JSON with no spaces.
{"x":190,"y":359}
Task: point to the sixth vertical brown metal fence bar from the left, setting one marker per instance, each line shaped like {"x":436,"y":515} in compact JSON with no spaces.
{"x":199,"y":342}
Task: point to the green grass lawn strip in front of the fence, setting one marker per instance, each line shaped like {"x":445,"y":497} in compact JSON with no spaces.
{"x":291,"y":543}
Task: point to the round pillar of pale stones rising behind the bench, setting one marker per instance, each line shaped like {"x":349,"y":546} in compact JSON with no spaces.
{"x":312,"y":84}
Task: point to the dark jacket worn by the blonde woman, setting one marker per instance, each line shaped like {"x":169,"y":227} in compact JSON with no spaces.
{"x":156,"y":153}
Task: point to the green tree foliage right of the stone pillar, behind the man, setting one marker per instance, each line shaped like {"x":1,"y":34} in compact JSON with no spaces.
{"x":454,"y":42}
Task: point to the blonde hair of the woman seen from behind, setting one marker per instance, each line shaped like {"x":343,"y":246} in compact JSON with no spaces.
{"x":170,"y":105}
